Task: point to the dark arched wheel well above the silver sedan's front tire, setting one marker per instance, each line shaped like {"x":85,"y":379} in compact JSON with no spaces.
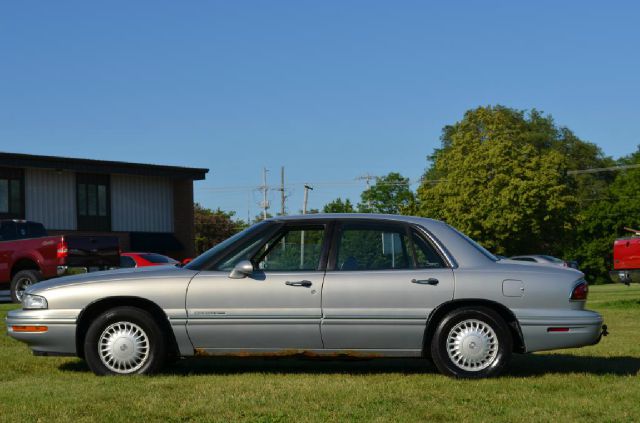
{"x":93,"y":310}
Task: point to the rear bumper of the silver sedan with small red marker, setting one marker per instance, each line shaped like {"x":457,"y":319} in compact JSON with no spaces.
{"x":551,"y":333}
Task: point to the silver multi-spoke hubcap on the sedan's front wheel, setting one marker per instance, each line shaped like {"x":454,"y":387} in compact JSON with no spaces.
{"x":123,"y":347}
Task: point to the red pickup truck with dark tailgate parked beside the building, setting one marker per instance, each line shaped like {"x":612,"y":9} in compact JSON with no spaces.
{"x":29,"y":255}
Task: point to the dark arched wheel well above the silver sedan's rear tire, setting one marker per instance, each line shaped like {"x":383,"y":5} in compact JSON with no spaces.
{"x":436,"y":316}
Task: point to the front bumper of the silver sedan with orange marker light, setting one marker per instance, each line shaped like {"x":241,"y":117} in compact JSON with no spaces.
{"x":59,"y":338}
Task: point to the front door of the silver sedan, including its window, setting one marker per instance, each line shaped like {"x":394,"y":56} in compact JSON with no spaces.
{"x":276,"y":309}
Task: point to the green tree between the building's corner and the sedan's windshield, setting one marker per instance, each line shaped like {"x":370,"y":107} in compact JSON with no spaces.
{"x":213,"y":226}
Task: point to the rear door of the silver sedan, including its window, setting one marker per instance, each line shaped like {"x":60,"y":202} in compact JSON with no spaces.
{"x":385,"y":280}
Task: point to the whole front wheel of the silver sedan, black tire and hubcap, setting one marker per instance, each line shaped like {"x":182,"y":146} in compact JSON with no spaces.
{"x":102,"y":330}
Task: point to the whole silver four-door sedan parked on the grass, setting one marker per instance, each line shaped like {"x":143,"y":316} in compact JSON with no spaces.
{"x":356,"y":285}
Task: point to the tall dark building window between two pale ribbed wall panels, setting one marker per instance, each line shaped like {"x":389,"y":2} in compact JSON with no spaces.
{"x":94,"y":202}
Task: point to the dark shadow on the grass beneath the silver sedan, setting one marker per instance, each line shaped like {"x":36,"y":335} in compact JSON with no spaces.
{"x":527,"y":365}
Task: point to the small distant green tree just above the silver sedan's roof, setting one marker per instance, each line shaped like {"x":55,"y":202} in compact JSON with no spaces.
{"x":390,"y":194}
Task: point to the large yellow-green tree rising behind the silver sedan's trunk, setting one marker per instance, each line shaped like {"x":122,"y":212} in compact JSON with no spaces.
{"x":501,"y":177}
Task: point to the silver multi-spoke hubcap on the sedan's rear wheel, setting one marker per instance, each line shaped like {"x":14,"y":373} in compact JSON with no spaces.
{"x":472,"y":345}
